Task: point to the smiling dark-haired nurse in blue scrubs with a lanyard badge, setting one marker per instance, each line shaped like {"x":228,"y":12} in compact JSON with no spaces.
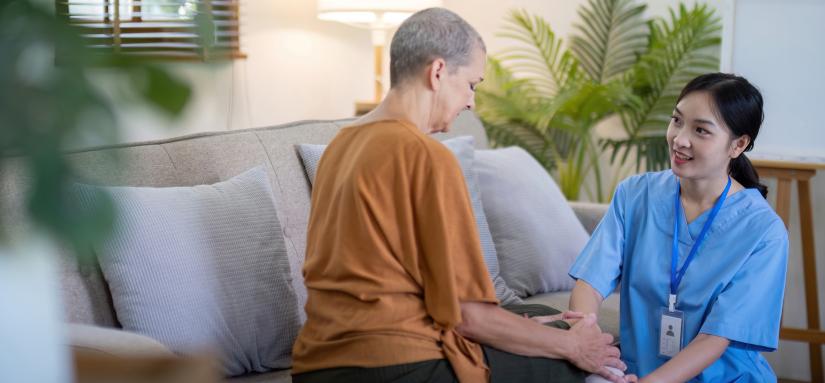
{"x":699,"y":255}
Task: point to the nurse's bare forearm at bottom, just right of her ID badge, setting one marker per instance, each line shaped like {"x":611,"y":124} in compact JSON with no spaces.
{"x":698,"y":355}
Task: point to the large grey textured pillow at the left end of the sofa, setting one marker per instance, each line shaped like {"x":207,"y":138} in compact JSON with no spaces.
{"x":204,"y":268}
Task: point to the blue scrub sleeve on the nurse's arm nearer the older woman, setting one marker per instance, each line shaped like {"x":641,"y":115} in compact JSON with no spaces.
{"x":600,"y":262}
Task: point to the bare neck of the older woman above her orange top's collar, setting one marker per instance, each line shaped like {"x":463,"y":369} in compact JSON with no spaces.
{"x":403,"y":103}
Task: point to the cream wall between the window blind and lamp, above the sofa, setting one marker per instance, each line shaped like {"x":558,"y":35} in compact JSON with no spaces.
{"x":298,"y":67}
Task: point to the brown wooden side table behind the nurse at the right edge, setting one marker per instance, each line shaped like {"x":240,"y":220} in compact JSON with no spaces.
{"x":786,"y":172}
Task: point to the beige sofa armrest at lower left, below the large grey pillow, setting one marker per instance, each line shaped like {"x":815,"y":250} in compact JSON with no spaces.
{"x":113,"y":342}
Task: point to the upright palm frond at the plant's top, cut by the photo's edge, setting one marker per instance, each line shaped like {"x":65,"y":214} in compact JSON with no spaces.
{"x":610,"y":38}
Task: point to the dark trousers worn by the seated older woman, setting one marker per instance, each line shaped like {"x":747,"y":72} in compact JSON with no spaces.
{"x":504,"y":366}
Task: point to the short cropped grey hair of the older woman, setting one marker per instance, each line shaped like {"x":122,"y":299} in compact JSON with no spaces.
{"x":429,"y":34}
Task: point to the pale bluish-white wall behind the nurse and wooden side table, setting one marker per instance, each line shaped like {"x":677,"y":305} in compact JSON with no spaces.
{"x":787,"y":67}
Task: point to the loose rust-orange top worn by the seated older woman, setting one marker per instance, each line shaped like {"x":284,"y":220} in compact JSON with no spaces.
{"x":392,"y":250}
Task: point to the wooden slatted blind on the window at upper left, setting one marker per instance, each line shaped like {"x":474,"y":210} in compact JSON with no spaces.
{"x":174,"y":29}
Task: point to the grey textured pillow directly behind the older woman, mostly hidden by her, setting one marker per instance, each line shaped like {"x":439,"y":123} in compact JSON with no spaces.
{"x":462,"y":147}
